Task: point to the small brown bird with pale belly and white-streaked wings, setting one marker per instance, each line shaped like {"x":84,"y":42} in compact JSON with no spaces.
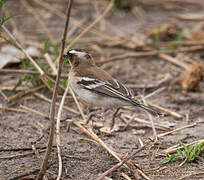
{"x":97,"y":87}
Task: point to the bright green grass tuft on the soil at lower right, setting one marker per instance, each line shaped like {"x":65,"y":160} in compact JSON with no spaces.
{"x":189,"y":154}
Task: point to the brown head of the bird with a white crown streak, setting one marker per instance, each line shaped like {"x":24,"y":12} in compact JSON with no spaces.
{"x":79,"y":56}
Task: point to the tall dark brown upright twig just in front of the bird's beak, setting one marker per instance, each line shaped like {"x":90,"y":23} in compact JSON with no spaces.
{"x":52,"y":108}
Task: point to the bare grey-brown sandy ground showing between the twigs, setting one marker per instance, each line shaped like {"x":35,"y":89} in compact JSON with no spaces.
{"x":82,"y":158}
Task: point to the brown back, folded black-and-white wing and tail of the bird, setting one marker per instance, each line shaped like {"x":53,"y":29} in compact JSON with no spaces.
{"x":99,"y":81}
